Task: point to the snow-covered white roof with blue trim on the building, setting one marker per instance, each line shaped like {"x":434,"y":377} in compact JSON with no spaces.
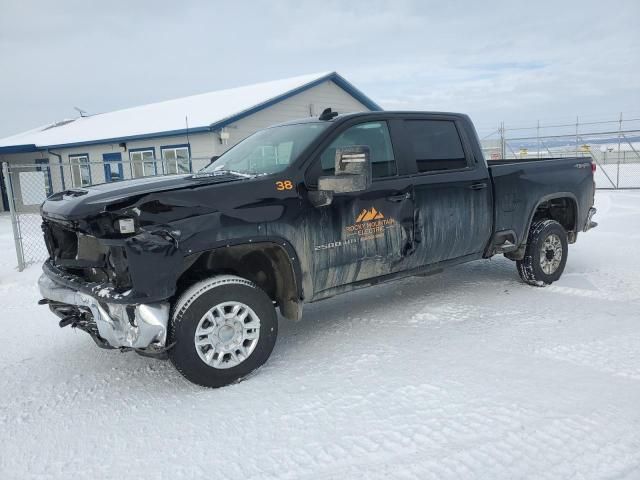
{"x":202,"y":111}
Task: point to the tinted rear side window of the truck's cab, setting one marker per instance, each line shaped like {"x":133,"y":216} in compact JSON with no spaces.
{"x":435,"y":145}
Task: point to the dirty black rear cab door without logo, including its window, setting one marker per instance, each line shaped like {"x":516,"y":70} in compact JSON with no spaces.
{"x":452,"y":191}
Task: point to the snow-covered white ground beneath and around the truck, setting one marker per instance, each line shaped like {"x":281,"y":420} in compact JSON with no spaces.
{"x":467,"y":374}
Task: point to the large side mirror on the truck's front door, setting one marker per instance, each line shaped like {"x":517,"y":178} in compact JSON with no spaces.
{"x":352,"y":174}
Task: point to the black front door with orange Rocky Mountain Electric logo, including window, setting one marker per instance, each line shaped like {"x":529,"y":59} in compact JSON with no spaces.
{"x":364,"y":234}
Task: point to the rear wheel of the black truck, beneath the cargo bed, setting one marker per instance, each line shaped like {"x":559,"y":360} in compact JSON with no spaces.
{"x":538,"y":268}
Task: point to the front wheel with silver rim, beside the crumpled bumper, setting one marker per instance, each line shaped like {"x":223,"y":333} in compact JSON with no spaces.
{"x":208,"y":307}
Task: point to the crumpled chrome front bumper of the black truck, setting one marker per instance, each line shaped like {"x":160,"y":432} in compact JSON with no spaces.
{"x":138,"y":326}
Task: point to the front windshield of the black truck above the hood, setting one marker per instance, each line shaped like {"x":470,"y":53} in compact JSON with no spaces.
{"x":267,"y":151}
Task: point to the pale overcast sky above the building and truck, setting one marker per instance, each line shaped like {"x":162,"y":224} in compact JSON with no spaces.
{"x":512,"y":61}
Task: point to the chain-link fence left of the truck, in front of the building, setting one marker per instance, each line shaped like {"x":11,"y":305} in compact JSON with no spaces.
{"x":28,"y":185}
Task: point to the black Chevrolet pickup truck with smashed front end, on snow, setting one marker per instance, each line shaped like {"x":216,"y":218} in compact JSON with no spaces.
{"x":192,"y":267}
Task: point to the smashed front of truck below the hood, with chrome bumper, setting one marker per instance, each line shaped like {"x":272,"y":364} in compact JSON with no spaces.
{"x":115,"y":289}
